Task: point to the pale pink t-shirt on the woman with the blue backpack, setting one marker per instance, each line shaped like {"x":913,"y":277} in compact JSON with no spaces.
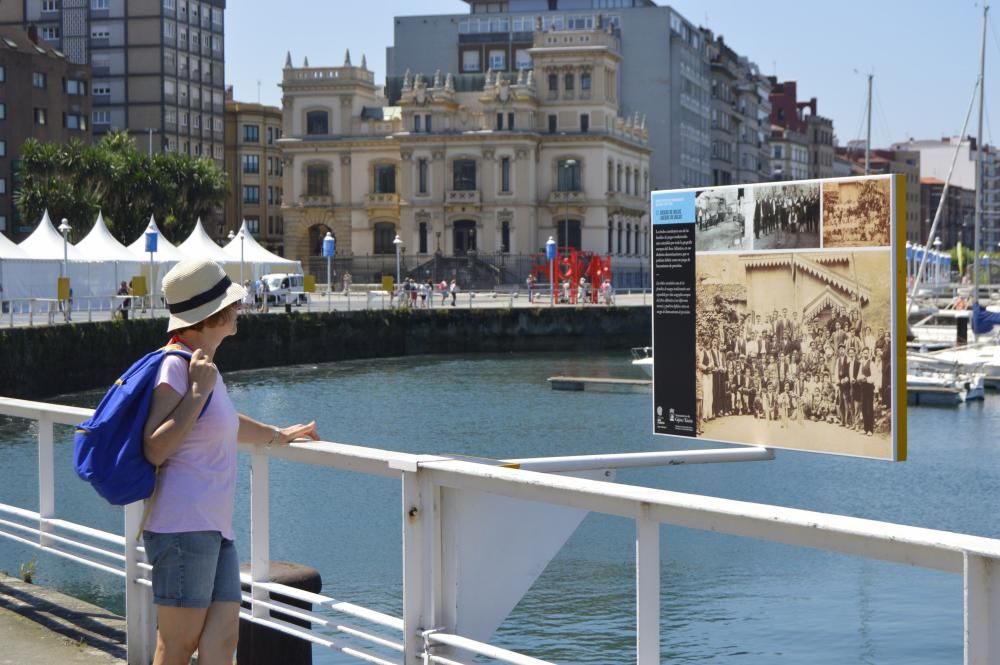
{"x":196,"y":485}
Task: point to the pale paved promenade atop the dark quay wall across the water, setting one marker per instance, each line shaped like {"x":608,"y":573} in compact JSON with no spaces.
{"x":337,"y":302}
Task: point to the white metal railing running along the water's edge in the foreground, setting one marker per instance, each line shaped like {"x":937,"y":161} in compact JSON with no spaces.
{"x":432,"y":490}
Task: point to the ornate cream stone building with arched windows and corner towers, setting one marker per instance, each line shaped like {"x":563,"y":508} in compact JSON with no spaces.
{"x":478,"y":166}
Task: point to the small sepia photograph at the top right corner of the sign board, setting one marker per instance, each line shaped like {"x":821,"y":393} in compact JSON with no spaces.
{"x":856,"y":213}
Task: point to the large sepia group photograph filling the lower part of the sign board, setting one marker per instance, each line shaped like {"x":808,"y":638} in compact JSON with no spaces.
{"x":794,"y":351}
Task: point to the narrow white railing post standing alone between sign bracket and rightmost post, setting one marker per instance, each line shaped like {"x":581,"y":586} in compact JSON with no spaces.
{"x":647,"y":589}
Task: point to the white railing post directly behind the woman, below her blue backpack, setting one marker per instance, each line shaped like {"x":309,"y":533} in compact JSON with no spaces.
{"x":140,"y":617}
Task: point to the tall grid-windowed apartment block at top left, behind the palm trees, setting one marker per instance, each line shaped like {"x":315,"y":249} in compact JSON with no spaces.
{"x":157,"y":65}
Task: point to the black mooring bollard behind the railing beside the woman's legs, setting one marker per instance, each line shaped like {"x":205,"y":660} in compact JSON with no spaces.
{"x":260,"y":645}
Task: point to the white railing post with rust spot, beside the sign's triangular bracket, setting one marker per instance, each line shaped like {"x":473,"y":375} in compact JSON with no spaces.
{"x":421,"y":563}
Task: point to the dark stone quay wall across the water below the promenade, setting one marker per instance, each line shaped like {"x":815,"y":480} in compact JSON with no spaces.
{"x":42,"y":362}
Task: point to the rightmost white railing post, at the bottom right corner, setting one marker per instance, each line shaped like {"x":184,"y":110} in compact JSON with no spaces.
{"x":982,"y":610}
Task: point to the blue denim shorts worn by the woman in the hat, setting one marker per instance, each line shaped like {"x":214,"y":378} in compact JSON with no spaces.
{"x":193,"y":569}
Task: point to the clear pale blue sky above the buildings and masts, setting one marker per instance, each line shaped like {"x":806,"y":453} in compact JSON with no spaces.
{"x":924,"y":53}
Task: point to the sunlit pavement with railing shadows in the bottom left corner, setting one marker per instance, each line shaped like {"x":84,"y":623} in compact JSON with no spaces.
{"x":38,"y":625}
